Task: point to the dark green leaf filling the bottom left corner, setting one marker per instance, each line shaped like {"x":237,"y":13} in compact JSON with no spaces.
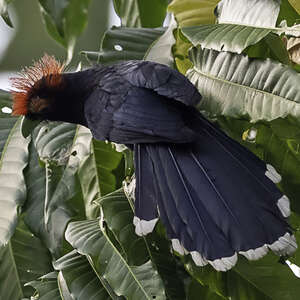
{"x":19,"y":264}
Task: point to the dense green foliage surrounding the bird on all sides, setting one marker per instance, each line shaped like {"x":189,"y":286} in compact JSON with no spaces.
{"x":66,"y":221}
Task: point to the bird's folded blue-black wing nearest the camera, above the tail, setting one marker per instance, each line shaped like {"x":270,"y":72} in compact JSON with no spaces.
{"x":131,"y":115}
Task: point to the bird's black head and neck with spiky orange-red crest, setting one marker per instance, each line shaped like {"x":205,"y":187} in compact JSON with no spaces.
{"x":44,"y":92}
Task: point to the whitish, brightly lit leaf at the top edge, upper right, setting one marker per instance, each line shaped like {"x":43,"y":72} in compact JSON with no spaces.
{"x":249,"y":12}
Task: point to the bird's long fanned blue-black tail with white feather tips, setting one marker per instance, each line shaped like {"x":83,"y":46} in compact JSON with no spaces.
{"x":215,"y":198}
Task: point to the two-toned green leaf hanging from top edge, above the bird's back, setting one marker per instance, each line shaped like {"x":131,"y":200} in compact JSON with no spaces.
{"x":140,"y":13}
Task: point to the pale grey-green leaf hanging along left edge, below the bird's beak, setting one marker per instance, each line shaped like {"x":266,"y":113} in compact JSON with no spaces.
{"x":13,"y":160}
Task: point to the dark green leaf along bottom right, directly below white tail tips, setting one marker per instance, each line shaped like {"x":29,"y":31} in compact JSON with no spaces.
{"x":250,"y":280}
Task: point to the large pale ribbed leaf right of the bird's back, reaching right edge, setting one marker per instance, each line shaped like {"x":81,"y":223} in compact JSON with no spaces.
{"x":234,"y":86}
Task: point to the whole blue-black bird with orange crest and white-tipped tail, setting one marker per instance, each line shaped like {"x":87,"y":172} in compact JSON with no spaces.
{"x":215,"y":198}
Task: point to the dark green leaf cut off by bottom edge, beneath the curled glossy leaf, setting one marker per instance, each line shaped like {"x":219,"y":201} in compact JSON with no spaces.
{"x":81,"y":280}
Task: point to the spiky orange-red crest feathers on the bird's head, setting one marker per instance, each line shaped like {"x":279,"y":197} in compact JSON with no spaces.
{"x":30,"y":79}
